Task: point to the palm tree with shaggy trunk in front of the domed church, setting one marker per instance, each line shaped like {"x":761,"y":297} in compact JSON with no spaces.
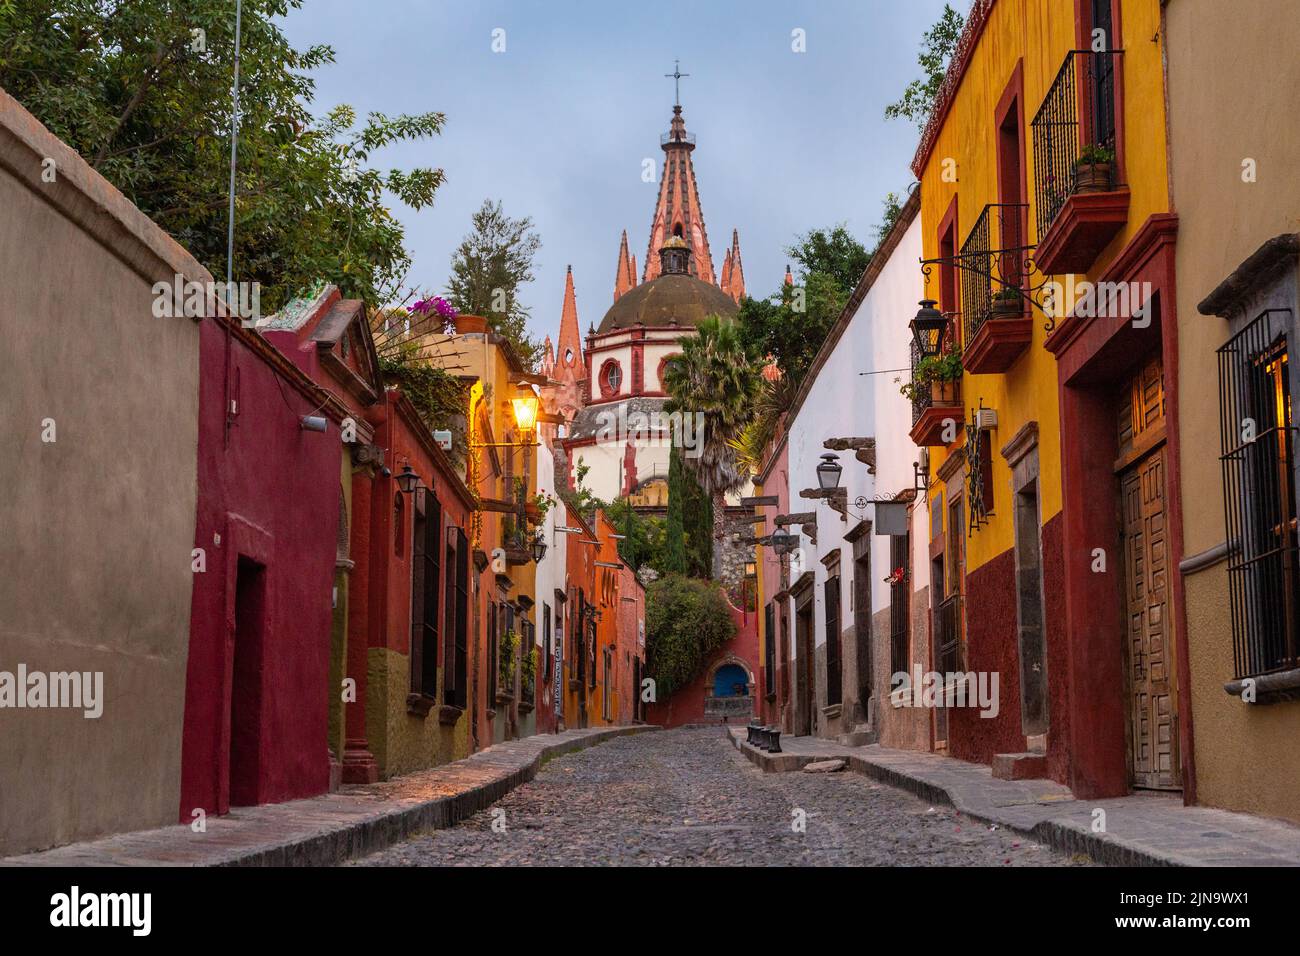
{"x":717,"y":379}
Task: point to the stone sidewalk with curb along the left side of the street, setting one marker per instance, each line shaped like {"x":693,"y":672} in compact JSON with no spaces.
{"x":333,"y":828}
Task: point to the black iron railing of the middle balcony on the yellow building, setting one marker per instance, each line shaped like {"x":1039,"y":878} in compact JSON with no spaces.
{"x":993,"y":261}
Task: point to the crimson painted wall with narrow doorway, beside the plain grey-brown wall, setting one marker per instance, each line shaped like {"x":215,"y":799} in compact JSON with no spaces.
{"x":271,"y":494}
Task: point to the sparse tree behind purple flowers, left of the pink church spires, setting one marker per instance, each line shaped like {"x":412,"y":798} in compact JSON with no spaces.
{"x":489,"y":267}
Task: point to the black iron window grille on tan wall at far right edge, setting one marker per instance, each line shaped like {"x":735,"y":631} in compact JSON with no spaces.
{"x":1259,"y":496}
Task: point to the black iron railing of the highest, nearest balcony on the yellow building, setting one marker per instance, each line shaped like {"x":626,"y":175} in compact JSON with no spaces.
{"x":1080,"y":111}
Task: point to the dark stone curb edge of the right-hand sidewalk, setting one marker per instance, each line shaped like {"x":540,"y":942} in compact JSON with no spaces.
{"x":1056,"y":834}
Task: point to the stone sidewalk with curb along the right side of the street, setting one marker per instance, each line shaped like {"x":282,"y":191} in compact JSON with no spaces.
{"x":1141,"y":830}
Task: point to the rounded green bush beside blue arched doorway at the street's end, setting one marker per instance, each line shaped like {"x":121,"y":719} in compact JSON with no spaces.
{"x":687,"y":624}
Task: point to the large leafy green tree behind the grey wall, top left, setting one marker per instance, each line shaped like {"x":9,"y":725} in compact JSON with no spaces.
{"x":142,"y":90}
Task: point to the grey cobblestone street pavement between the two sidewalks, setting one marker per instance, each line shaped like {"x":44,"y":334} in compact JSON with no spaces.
{"x":688,"y":798}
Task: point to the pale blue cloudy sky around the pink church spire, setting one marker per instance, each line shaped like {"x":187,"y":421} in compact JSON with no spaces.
{"x":557,"y":126}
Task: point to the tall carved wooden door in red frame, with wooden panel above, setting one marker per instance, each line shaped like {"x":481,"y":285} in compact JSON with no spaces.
{"x":1149,"y":641}
